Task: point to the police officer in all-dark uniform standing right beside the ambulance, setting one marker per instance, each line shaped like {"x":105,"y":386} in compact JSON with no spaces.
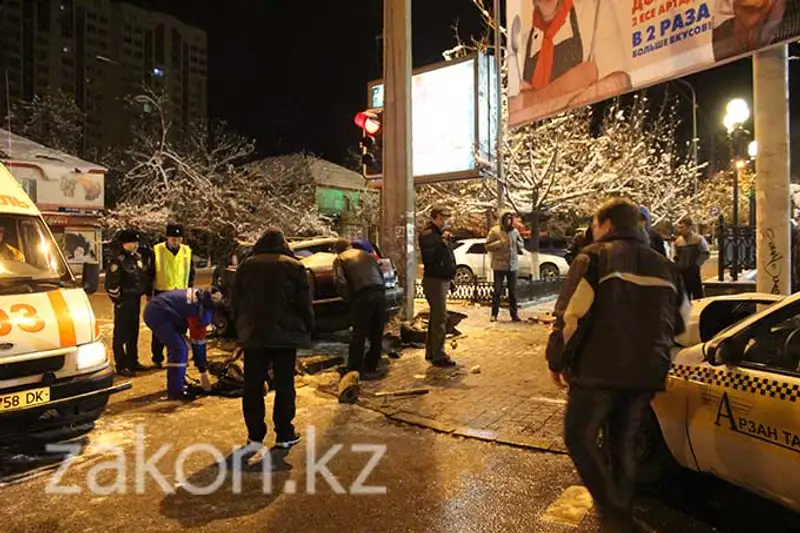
{"x":126,"y":282}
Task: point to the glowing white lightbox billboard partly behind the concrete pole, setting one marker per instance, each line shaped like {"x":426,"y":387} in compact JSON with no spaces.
{"x":451,"y":116}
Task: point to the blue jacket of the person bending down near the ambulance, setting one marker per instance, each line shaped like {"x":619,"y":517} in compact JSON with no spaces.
{"x":176,"y":307}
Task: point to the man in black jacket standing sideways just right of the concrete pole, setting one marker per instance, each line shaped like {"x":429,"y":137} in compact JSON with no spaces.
{"x":440,"y":267}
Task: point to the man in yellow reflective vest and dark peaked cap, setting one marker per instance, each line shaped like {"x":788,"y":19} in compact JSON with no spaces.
{"x":171,"y":269}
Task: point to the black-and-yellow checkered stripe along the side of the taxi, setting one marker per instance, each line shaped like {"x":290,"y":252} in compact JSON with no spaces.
{"x":738,"y":382}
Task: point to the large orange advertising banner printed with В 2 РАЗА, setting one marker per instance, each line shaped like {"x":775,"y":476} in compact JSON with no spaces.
{"x":568,"y":53}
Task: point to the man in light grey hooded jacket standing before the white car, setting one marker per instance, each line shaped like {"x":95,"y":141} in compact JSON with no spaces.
{"x":505,"y":244}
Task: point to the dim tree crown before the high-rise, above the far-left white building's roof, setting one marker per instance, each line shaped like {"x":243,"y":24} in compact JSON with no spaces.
{"x":52,"y":119}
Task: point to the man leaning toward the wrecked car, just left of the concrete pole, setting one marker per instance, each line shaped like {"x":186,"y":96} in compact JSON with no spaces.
{"x":359,"y":281}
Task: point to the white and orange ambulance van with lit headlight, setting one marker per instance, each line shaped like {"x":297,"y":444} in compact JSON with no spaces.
{"x":55,"y":376}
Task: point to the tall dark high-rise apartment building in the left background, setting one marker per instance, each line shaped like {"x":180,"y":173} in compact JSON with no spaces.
{"x":102,"y":51}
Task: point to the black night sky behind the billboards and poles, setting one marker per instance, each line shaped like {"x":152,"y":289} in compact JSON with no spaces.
{"x":292,"y":74}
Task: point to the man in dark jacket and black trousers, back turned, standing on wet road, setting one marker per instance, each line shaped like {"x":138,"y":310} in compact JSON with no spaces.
{"x":272,"y":307}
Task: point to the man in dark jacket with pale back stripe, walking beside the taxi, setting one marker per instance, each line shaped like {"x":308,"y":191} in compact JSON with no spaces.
{"x":621,"y":306}
